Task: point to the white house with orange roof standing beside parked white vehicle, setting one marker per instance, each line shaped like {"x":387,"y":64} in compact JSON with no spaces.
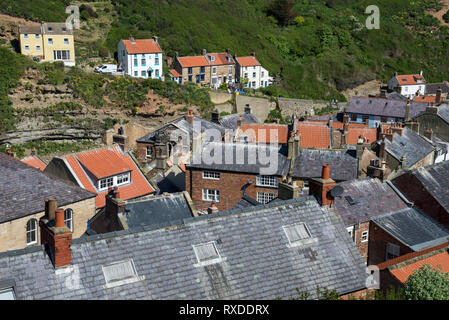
{"x":141,"y":58}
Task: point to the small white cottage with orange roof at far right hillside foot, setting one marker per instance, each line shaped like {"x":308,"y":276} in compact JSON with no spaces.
{"x":408,"y":85}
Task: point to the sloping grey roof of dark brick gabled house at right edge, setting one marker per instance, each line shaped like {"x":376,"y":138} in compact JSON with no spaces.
{"x":435,"y":179}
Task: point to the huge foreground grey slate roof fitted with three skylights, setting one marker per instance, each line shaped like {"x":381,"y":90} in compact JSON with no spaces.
{"x":257,"y":262}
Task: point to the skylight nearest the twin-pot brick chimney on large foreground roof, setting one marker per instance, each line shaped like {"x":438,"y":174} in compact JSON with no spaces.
{"x":120,"y":273}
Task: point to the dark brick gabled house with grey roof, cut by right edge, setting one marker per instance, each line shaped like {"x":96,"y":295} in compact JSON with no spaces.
{"x":428,"y":188}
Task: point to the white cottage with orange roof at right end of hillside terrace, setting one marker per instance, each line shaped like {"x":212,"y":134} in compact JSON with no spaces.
{"x":250,"y":68}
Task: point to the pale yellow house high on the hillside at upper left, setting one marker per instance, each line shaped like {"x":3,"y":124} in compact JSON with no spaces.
{"x":48,"y":42}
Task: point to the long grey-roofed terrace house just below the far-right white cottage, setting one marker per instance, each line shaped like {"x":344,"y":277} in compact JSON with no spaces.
{"x":377,"y":110}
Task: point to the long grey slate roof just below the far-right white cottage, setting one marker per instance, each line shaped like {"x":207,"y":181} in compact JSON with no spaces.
{"x":384,"y":107}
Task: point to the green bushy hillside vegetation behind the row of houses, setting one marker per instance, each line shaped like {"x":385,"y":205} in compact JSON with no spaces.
{"x":315,"y":48}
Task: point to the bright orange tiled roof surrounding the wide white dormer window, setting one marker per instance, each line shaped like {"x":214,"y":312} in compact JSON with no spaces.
{"x":139,"y":184}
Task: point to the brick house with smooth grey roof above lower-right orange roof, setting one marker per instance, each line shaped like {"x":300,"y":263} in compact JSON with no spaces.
{"x":402,"y":232}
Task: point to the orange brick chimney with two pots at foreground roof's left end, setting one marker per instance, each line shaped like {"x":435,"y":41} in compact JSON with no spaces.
{"x":56,"y":236}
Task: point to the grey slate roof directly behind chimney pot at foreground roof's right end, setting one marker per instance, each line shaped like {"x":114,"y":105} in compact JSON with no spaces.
{"x":309,"y":163}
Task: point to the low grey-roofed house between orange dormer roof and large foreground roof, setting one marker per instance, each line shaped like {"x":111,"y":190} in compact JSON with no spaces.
{"x":140,"y":212}
